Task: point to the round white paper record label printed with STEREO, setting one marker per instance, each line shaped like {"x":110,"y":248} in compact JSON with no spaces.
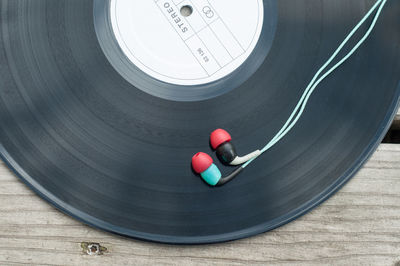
{"x":205,"y":46}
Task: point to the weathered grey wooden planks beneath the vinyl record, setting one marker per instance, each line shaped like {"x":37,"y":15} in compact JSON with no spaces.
{"x":358,"y":225}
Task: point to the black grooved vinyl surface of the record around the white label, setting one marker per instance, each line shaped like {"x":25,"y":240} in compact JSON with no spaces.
{"x":108,"y":144}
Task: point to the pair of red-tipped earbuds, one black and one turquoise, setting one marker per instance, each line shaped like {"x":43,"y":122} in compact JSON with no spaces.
{"x":204,"y":165}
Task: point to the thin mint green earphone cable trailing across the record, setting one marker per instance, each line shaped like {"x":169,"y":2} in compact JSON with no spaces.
{"x":299,"y":109}
